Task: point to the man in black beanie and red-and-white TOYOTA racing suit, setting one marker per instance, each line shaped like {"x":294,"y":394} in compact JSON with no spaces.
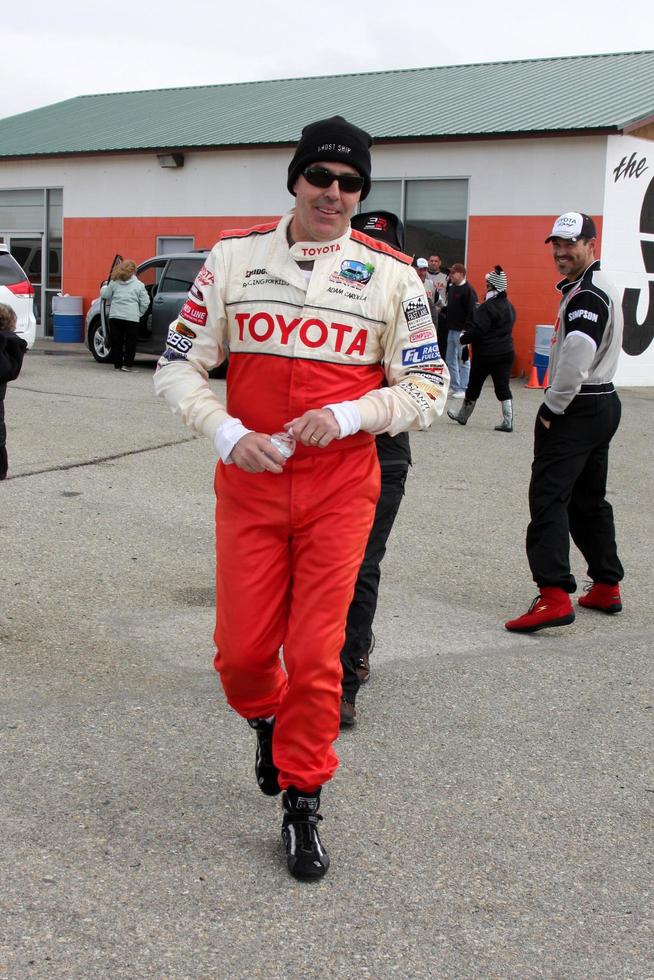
{"x":308,"y":309}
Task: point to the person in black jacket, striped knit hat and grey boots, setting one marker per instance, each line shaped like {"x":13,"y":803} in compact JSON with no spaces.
{"x":490,"y":337}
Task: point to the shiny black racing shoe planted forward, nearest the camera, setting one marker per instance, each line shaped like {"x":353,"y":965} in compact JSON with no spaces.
{"x":305,"y":855}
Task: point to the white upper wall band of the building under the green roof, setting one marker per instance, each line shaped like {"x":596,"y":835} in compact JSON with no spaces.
{"x":516,"y":177}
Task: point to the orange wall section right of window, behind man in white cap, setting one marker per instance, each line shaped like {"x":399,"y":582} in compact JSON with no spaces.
{"x":517,"y":244}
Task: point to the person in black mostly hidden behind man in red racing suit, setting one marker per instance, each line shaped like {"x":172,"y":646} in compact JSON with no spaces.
{"x":394,"y":454}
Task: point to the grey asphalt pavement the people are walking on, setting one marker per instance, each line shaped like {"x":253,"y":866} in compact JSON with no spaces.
{"x":492,"y":814}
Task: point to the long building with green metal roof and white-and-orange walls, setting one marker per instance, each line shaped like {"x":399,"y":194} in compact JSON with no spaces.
{"x":477,"y":159}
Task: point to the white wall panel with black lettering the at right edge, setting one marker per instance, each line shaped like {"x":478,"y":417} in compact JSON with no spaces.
{"x":628,"y":250}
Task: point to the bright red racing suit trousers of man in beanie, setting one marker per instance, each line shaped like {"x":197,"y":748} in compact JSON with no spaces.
{"x":288,"y":549}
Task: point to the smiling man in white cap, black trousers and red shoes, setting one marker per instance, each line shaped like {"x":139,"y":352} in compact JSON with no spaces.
{"x":574,"y":427}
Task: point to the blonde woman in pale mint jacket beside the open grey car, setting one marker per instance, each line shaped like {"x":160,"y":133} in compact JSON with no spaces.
{"x":129,"y":301}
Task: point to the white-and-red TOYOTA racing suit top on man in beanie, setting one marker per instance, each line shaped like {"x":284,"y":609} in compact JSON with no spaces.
{"x":296,"y":344}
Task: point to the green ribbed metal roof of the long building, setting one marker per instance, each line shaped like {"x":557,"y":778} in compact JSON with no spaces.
{"x":605,"y":92}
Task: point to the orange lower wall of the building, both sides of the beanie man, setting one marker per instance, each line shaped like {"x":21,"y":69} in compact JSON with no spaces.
{"x":516,"y":243}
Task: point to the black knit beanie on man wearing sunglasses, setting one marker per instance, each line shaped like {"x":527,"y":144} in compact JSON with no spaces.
{"x":332,"y":139}
